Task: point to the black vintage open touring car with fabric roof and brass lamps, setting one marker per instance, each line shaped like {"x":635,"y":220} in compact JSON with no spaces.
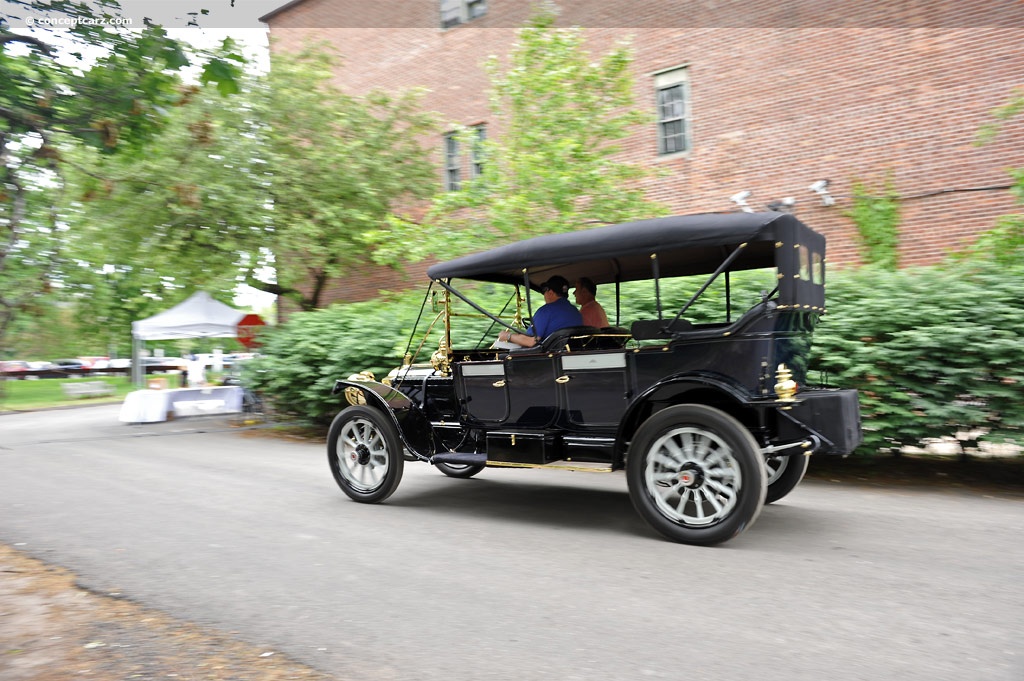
{"x":710,"y":421}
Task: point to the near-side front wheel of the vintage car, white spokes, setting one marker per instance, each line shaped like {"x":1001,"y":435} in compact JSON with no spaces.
{"x":365,"y":454}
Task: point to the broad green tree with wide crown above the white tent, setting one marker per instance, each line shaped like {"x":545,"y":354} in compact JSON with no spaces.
{"x":288,"y":175}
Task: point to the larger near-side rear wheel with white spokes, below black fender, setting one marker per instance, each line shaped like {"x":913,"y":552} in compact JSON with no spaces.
{"x":696,"y":475}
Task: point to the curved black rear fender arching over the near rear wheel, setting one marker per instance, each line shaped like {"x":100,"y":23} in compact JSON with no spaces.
{"x":679,"y":390}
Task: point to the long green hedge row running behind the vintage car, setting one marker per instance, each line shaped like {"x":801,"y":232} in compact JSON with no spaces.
{"x":932,"y":351}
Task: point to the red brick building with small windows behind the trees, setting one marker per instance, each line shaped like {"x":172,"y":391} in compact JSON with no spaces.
{"x":895,"y":89}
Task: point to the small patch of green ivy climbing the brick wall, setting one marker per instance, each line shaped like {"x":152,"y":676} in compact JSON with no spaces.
{"x":877,"y":217}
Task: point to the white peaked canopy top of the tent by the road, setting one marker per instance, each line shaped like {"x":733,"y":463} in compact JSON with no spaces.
{"x":199,"y":317}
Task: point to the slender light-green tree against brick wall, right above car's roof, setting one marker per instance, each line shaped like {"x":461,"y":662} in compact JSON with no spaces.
{"x":561,"y":114}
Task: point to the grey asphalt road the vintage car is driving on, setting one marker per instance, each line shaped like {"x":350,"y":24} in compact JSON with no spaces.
{"x":515,"y":575}
